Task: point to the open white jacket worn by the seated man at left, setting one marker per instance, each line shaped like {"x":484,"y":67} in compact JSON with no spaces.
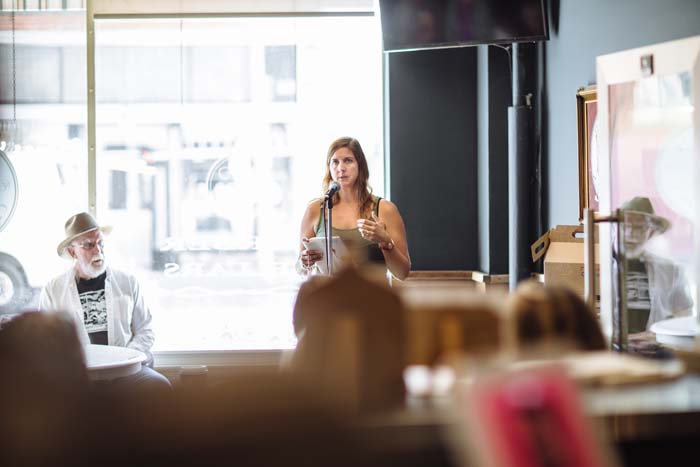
{"x":128,"y":317}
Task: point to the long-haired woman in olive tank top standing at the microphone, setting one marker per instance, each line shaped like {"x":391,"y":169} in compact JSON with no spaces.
{"x":370,"y":227}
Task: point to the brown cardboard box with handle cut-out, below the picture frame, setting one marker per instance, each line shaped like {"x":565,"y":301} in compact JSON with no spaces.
{"x":563,"y":257}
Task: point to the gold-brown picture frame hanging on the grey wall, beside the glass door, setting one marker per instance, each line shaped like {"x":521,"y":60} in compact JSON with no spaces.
{"x":586,"y":113}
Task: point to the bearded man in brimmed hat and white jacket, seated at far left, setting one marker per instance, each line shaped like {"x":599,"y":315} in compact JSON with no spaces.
{"x":106,"y":304}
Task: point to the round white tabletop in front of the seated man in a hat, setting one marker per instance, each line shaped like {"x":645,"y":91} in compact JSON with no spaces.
{"x":105,"y":362}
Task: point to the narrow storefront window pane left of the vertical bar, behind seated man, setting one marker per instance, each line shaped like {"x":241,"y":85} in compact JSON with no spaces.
{"x":42,"y":134}
